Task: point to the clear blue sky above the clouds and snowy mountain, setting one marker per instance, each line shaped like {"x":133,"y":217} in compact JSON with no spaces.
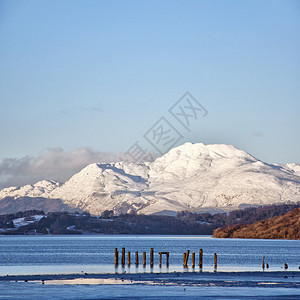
{"x":97,"y":75}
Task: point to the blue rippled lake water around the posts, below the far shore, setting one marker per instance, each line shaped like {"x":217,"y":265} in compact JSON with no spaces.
{"x":23,"y":255}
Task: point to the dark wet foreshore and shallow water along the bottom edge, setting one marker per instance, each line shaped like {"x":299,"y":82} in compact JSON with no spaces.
{"x":198,"y":285}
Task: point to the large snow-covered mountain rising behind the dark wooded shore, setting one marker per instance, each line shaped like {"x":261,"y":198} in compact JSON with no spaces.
{"x":193,"y":177}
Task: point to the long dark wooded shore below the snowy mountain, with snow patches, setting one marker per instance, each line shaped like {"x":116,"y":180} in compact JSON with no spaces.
{"x":183,"y":223}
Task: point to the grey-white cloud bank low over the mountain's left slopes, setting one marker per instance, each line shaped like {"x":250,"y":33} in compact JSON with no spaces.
{"x":55,"y":164}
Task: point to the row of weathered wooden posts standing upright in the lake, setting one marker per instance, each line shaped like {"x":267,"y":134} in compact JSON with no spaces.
{"x":185,"y":258}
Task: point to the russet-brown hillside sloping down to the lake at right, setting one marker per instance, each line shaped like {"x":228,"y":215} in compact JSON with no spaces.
{"x":282,"y":227}
